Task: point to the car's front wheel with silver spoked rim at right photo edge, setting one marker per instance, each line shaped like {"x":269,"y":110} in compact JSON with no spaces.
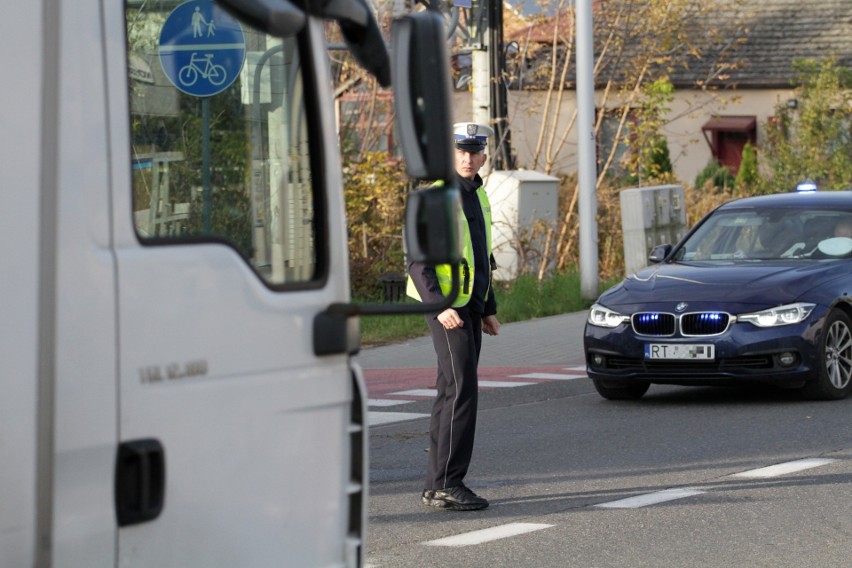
{"x":834,"y":373}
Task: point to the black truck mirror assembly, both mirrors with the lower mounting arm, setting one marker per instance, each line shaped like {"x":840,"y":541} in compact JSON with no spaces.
{"x":421,"y":79}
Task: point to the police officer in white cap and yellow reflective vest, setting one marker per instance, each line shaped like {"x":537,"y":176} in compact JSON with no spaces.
{"x":457,"y":331}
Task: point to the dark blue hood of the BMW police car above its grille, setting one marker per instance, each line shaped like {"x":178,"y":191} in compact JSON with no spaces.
{"x":760,"y":284}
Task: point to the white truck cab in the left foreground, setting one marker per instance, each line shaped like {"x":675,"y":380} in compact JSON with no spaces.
{"x":177,"y":384}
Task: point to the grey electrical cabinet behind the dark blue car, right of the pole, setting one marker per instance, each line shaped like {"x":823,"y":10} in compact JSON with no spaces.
{"x":650,"y":216}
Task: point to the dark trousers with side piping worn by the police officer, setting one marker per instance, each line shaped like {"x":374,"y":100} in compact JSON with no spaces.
{"x":453,"y":423}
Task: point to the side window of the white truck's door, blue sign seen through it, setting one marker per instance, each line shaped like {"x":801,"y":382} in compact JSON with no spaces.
{"x":220,"y":143}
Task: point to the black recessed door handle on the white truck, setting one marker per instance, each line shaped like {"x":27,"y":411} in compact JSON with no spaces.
{"x":140,"y":481}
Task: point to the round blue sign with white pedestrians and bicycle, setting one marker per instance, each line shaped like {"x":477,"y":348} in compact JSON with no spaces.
{"x":202,"y":48}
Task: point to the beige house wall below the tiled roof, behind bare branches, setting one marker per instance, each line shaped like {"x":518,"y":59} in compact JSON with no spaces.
{"x":690,"y":152}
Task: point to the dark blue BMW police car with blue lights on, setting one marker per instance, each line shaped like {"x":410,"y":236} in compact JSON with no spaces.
{"x":760,"y":290}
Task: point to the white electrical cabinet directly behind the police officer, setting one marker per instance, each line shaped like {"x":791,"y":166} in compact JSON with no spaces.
{"x":524,"y":208}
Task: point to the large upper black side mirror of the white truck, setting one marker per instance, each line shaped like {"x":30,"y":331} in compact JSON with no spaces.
{"x":421,"y":81}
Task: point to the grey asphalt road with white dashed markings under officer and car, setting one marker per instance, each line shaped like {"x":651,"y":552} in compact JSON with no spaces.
{"x":703,"y":477}
